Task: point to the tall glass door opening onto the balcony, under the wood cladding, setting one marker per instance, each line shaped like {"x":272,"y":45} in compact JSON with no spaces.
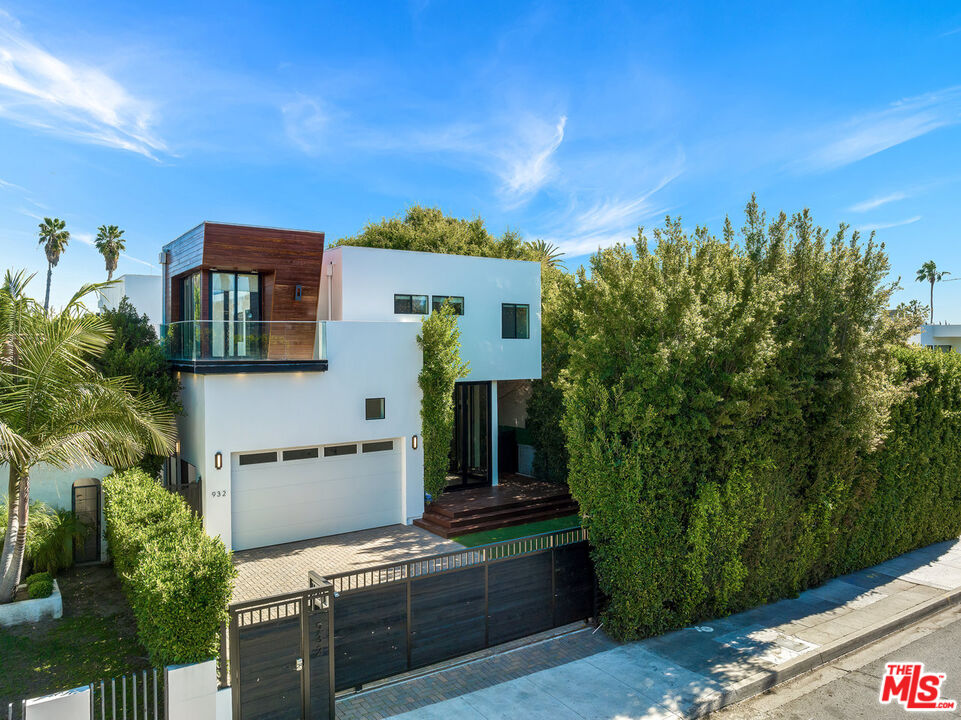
{"x":235,"y":315}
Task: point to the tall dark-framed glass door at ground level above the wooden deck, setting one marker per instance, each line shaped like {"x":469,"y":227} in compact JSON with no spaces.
{"x":471,"y":445}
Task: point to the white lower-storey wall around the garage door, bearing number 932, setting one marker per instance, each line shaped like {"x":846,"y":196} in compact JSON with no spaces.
{"x":258,"y":411}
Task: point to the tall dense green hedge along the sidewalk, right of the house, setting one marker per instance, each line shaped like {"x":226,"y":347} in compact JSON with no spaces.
{"x":744,"y":420}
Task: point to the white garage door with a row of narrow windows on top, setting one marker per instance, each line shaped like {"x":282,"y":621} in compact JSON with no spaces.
{"x":282,"y":495}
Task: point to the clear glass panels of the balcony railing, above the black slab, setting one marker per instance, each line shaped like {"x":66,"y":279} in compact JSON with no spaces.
{"x":244,"y":340}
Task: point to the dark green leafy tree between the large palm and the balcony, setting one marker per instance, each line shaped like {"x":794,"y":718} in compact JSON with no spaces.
{"x":135,"y":352}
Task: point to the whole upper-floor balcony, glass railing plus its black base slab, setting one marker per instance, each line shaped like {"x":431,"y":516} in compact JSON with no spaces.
{"x":232,"y":346}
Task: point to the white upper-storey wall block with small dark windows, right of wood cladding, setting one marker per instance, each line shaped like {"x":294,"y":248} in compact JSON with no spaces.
{"x":366,"y":279}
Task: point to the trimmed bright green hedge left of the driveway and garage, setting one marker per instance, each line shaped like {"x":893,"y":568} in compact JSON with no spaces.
{"x":179,"y":580}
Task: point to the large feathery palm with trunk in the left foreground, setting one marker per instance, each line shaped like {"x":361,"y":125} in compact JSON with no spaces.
{"x":56,"y":409}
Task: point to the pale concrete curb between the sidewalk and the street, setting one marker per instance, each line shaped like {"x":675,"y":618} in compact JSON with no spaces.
{"x":763,"y":681}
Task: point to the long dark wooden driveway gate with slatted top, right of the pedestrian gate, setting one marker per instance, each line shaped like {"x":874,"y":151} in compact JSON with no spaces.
{"x":398,"y":617}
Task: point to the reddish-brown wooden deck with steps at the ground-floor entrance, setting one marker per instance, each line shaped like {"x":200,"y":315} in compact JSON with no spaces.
{"x":513,"y":502}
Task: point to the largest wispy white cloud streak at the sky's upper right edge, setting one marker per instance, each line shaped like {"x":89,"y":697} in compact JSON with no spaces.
{"x":871,"y":133}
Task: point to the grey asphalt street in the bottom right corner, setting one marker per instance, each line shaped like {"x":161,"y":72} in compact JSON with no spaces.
{"x":849,"y":688}
